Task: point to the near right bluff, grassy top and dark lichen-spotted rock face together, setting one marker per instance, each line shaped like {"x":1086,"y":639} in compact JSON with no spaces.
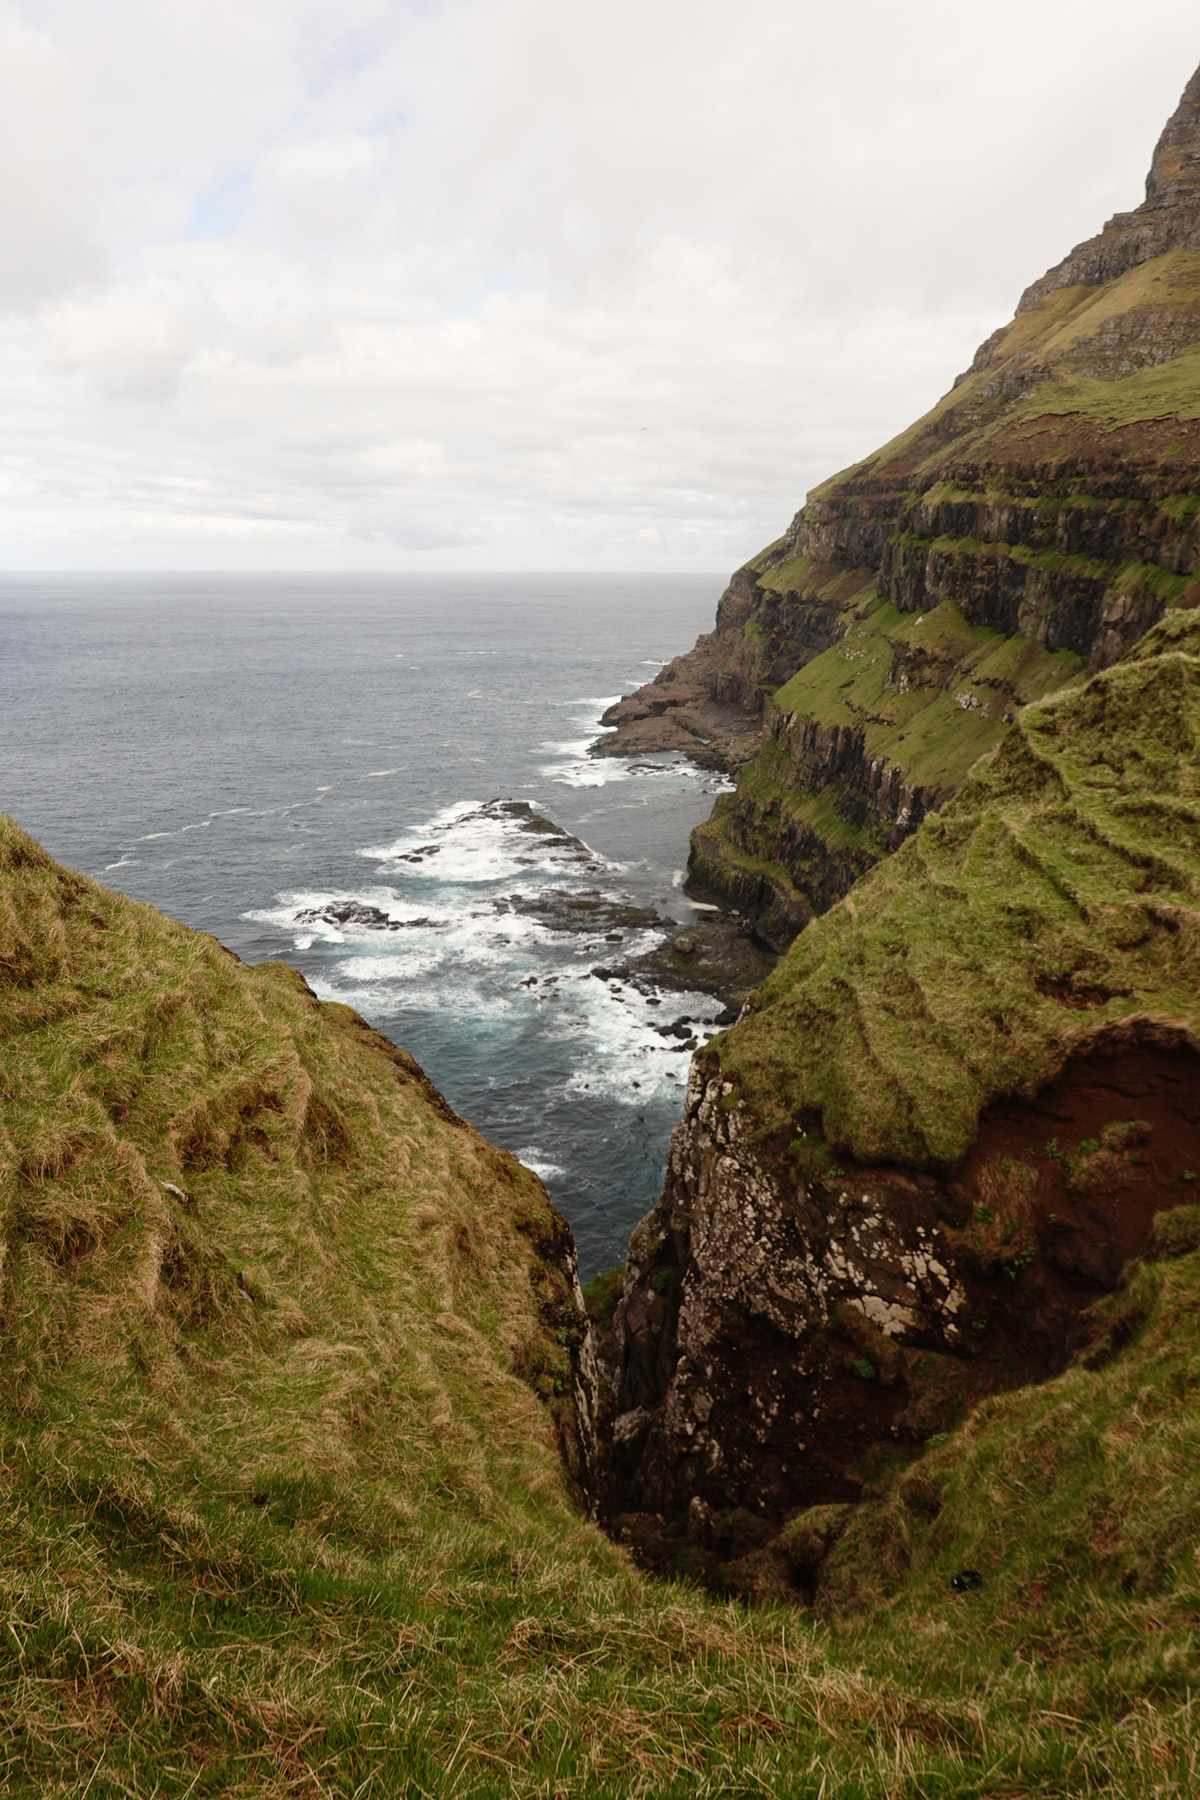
{"x":938,"y":1137}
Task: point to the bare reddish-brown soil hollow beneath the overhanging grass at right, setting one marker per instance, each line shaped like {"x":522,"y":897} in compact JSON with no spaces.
{"x":1052,"y":1205}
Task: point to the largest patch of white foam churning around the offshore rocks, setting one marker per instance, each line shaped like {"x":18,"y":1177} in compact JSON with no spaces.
{"x":447,"y":935}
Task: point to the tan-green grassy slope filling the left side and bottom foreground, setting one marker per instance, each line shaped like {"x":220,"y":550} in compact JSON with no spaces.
{"x":283,"y":1513}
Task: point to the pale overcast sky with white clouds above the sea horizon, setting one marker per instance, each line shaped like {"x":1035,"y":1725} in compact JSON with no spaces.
{"x":521,"y":283}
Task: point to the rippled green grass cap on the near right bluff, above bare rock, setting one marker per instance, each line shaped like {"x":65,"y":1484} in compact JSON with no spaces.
{"x":1053,"y":897}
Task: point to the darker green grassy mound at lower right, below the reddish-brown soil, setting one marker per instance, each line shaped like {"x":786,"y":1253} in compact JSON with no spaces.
{"x":1079,"y":1504}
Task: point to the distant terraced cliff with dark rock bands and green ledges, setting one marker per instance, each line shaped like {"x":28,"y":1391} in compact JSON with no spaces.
{"x":1030,"y":528}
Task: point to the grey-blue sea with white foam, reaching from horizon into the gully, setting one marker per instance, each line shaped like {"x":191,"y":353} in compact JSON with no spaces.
{"x":346,"y":773}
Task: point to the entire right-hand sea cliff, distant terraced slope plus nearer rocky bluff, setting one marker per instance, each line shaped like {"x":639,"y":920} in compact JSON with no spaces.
{"x":936,"y":1146}
